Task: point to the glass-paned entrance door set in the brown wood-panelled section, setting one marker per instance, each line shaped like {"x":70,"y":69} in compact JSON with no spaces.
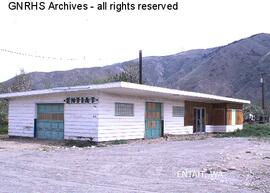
{"x":199,"y":120}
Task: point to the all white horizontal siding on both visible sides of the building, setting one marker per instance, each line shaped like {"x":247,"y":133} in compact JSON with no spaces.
{"x":99,"y":121}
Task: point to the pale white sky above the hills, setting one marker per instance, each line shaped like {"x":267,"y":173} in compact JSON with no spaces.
{"x":77,"y":39}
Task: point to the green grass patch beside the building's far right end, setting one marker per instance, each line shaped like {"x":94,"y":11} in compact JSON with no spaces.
{"x":256,"y":130}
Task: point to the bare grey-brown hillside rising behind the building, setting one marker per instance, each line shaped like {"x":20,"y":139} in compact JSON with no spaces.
{"x":231,"y":70}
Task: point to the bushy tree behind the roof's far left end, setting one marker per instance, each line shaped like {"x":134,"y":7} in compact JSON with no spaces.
{"x":21,"y":83}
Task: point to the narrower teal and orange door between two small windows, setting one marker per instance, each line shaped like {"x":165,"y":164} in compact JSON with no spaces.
{"x":153,"y":120}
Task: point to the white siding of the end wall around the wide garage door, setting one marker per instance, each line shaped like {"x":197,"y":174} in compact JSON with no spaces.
{"x":80,"y":119}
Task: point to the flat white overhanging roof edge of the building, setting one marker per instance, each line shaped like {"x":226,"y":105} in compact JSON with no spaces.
{"x":130,"y":89}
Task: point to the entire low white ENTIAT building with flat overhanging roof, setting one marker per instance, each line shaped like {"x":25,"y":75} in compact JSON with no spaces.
{"x":119,"y":111}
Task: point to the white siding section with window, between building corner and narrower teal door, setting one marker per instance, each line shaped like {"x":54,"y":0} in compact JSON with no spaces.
{"x":111,"y":127}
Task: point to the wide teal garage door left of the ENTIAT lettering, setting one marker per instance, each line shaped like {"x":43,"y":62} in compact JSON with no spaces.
{"x":50,"y":121}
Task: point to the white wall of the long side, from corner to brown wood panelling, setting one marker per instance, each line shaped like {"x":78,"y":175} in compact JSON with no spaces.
{"x":111,"y":127}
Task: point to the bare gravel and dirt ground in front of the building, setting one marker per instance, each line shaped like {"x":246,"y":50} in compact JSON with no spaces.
{"x":208,"y":165}
